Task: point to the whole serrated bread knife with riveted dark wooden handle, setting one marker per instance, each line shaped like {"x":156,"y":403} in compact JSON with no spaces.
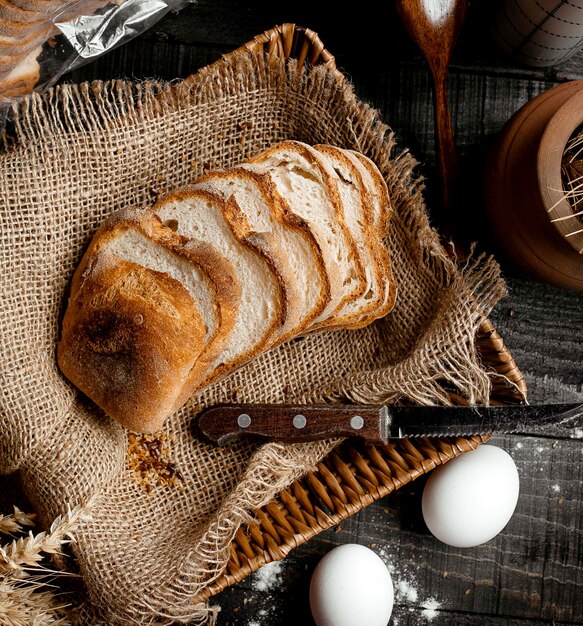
{"x":223,"y":424}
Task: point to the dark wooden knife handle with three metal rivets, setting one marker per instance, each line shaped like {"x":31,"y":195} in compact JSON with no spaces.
{"x":224,"y":423}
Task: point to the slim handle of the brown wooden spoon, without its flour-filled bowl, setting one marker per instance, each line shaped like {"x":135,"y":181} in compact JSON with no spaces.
{"x":445,"y":145}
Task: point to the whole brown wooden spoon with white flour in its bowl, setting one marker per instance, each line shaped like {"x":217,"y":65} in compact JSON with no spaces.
{"x":434,"y":26}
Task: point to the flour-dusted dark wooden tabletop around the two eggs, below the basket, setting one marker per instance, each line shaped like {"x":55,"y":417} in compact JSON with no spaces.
{"x":530,"y":571}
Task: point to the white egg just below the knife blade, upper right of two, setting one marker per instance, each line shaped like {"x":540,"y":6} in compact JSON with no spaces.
{"x":470,"y":499}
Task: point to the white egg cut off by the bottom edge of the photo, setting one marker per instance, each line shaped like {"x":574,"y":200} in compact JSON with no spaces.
{"x":351,"y":586}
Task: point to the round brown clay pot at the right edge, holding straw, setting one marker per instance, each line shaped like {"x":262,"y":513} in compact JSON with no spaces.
{"x":523,"y":183}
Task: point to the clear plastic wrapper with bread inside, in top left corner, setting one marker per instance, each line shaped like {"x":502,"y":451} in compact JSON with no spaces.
{"x":40,"y":40}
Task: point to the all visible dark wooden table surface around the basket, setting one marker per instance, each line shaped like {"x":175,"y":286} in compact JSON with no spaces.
{"x":532,"y":573}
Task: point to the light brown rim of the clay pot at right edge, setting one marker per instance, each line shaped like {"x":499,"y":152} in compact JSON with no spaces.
{"x":549,"y":157}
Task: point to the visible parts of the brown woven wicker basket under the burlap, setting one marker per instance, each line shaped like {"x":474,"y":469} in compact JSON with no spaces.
{"x":354,"y":474}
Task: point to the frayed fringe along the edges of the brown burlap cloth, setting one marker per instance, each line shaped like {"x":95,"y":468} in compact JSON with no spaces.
{"x":477,"y":286}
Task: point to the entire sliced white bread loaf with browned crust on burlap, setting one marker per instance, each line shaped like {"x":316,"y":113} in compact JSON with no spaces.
{"x":172,"y":298}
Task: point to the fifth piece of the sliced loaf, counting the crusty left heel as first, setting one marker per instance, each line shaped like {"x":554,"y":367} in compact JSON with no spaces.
{"x":309,"y":188}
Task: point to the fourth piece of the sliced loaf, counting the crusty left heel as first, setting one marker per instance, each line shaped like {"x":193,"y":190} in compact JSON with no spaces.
{"x":290,"y":245}
